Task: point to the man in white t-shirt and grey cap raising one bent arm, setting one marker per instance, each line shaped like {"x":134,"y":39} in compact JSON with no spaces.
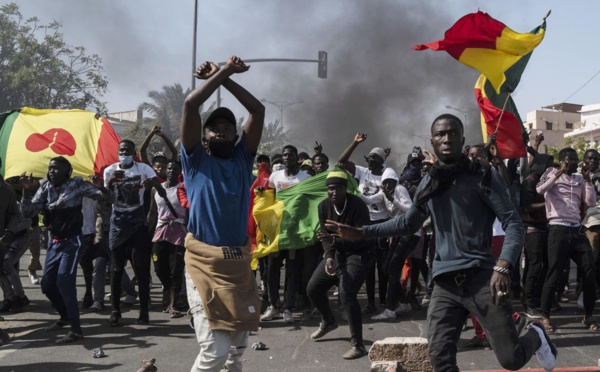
{"x":369,"y":184}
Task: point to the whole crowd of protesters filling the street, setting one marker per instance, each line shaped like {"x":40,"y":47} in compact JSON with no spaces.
{"x":450,"y":231}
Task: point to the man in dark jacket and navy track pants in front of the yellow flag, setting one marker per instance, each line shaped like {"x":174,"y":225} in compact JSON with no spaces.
{"x":60,"y":200}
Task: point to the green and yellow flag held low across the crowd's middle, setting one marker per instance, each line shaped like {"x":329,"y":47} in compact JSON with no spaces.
{"x":290,"y":219}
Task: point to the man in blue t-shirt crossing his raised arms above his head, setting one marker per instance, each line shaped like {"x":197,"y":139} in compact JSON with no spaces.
{"x":217,"y":175}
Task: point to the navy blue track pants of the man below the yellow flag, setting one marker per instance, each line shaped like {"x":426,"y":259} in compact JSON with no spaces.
{"x":60,"y":274}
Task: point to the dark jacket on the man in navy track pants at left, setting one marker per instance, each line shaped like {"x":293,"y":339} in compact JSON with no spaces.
{"x":62,"y":205}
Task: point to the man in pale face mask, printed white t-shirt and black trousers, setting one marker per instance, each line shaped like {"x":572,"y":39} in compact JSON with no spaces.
{"x":129,"y":238}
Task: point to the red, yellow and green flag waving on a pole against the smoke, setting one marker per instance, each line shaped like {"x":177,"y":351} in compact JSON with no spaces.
{"x":501,"y":55}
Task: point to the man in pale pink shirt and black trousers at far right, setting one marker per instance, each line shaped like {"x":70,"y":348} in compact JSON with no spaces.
{"x":564,"y":192}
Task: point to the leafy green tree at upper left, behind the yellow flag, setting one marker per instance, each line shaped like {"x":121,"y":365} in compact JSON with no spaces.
{"x":38,"y":69}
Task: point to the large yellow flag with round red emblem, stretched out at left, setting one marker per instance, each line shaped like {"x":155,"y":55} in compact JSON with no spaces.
{"x":29,"y":138}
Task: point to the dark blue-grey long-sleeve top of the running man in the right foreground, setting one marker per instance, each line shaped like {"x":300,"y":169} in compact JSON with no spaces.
{"x":462,"y":217}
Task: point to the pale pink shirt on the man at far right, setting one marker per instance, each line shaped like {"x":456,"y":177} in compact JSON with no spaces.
{"x":564,"y":196}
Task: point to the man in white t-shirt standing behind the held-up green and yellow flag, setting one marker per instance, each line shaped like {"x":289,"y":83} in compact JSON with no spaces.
{"x":281,"y":180}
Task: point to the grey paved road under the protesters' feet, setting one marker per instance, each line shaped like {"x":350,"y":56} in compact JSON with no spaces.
{"x":173,"y":344}
